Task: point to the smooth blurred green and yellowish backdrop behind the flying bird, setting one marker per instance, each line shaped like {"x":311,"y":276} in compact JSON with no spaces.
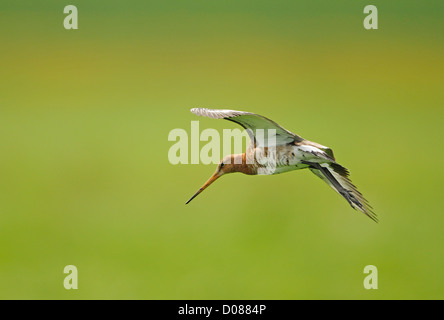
{"x":84,"y":171}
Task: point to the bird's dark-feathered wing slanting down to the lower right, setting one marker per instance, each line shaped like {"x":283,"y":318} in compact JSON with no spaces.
{"x":336,"y":176}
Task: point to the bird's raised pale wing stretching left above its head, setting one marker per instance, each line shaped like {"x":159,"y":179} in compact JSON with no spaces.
{"x":251,"y":122}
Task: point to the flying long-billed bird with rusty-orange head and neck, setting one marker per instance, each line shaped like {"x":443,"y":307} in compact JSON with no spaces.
{"x":282,"y":151}
